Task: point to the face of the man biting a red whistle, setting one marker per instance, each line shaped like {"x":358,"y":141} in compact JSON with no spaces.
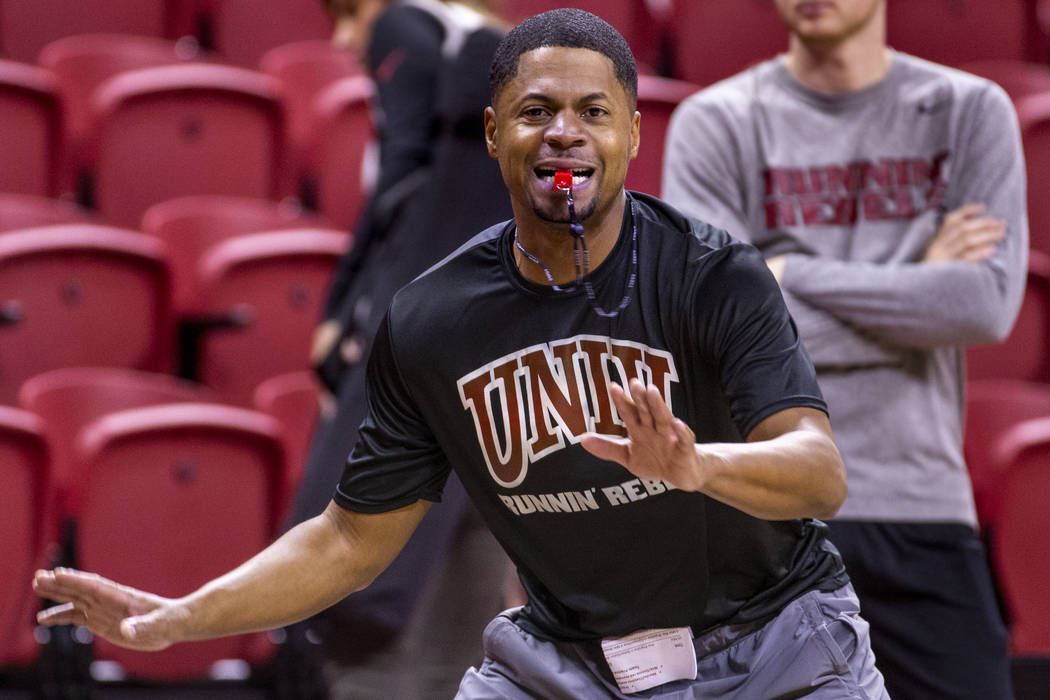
{"x":564,"y":111}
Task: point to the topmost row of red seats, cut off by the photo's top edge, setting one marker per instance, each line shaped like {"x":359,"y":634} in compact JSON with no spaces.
{"x":699,"y":41}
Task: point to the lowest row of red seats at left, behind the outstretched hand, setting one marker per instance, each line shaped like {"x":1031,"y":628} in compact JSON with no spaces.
{"x":128,"y":474}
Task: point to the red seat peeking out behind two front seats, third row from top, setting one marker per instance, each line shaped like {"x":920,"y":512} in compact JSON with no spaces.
{"x":192,"y":225}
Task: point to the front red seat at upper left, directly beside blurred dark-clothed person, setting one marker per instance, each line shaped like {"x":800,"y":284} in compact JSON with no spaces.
{"x":341,"y":122}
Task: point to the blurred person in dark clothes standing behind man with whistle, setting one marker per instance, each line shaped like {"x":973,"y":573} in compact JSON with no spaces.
{"x":418,"y":626}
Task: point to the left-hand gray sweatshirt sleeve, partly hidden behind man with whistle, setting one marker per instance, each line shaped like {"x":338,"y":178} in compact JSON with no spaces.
{"x":703,"y":178}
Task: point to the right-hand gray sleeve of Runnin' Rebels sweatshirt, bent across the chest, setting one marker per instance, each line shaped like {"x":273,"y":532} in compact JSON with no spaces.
{"x":919,"y":305}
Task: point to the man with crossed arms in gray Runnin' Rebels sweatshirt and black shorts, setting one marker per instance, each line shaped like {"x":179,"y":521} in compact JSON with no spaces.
{"x":888,"y":196}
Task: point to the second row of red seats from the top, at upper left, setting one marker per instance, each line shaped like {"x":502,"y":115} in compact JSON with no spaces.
{"x":123,"y":122}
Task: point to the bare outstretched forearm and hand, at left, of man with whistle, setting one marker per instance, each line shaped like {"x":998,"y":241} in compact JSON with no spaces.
{"x":308,"y":569}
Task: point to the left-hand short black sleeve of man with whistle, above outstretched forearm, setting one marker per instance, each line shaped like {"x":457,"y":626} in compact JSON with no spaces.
{"x":396,"y":460}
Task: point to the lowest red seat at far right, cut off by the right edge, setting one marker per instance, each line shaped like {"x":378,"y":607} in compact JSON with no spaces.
{"x":1021,"y":539}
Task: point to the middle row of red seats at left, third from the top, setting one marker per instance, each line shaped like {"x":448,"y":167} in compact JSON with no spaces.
{"x":241,"y":279}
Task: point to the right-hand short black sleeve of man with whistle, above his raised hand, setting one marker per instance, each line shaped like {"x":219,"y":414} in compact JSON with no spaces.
{"x":749,"y":336}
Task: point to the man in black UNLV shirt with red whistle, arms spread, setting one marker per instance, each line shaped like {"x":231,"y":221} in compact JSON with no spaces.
{"x":625,"y":398}
